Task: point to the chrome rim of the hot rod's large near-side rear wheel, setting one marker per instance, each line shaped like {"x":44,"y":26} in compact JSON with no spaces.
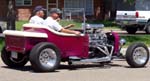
{"x":48,"y":58}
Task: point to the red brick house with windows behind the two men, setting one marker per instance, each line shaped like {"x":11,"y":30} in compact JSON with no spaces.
{"x":93,"y":8}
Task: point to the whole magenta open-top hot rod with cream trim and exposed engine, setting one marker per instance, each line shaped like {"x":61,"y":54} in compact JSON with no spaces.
{"x":45,"y":48}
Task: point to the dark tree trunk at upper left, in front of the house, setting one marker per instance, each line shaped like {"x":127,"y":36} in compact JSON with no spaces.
{"x":11,"y":15}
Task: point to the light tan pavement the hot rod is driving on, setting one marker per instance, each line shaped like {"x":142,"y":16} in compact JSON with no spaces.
{"x":116,"y":71}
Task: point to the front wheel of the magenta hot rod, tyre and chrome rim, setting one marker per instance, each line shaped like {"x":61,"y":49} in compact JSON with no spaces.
{"x":137,"y":55}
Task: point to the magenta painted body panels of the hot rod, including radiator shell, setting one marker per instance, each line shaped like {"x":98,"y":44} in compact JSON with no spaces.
{"x":68,"y":45}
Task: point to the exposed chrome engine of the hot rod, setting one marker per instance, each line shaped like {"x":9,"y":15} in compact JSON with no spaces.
{"x":101,"y":44}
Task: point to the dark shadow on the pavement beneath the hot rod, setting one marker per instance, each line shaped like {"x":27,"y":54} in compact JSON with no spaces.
{"x":72,"y":67}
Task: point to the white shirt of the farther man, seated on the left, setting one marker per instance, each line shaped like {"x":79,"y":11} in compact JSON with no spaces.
{"x":36,"y":20}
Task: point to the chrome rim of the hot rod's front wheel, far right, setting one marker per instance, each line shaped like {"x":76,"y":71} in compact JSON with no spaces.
{"x":140,"y":55}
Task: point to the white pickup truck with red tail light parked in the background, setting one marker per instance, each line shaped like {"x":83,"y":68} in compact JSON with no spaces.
{"x":138,"y":19}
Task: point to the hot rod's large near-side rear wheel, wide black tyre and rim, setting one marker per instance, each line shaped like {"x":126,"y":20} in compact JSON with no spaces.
{"x":45,"y":57}
